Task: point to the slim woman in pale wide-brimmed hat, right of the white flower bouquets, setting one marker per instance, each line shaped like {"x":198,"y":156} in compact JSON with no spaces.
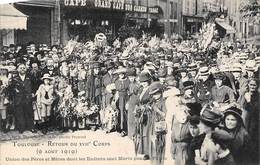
{"x":122,"y":88}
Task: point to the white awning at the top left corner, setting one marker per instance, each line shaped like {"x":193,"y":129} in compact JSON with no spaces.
{"x":11,"y":18}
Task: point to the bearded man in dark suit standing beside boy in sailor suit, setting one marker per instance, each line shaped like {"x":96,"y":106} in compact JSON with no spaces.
{"x":21,"y":85}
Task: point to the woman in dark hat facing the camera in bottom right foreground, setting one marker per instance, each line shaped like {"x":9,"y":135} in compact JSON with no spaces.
{"x":239,"y":146}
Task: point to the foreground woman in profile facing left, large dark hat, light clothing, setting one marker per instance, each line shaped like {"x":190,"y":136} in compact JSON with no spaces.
{"x":213,"y":150}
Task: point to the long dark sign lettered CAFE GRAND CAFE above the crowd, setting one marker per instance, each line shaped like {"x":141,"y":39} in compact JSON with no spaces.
{"x":111,"y":4}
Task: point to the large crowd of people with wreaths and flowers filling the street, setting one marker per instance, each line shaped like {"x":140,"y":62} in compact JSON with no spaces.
{"x":180,"y":101}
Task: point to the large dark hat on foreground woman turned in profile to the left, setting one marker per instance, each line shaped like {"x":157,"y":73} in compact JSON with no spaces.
{"x":210,"y":117}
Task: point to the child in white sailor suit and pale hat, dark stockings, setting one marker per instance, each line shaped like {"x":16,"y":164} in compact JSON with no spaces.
{"x":45,"y":99}
